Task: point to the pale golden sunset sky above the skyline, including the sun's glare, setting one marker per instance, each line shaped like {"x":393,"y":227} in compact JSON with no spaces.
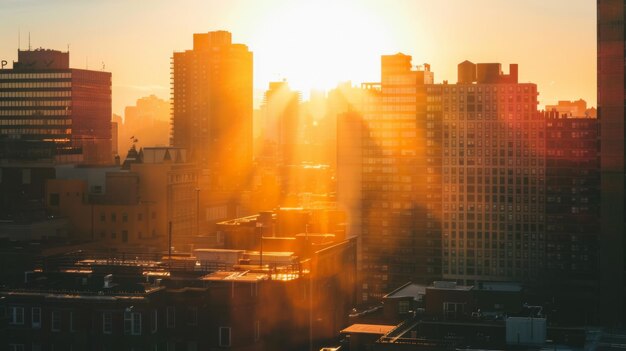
{"x":315,"y":44}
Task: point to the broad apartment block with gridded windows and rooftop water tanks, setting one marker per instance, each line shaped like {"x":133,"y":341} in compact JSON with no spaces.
{"x":493,"y":176}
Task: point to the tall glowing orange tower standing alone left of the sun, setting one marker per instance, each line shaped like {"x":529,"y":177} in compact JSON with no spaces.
{"x":212,"y":107}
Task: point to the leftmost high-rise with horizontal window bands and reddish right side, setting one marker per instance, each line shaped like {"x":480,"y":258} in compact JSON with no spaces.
{"x":43,"y":99}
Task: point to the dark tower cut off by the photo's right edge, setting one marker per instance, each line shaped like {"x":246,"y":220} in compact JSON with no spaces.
{"x":611,"y":113}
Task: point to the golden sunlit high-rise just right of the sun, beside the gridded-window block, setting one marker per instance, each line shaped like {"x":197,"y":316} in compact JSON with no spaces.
{"x":400,"y":234}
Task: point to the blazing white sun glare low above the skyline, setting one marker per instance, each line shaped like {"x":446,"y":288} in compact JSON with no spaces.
{"x":315,"y":45}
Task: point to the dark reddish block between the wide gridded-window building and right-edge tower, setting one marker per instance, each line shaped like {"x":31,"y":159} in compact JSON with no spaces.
{"x":572,"y":213}
